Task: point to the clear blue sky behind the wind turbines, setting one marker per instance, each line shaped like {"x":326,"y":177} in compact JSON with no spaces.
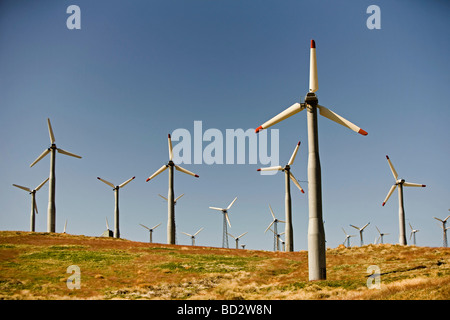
{"x":138,"y":70}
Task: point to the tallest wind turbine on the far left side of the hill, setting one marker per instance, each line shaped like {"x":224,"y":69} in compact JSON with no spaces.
{"x":51,"y":215}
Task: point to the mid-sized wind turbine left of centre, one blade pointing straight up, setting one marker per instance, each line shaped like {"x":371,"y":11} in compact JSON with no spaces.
{"x":171,"y":203}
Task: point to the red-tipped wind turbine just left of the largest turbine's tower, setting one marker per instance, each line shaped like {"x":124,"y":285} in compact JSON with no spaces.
{"x":288,"y":206}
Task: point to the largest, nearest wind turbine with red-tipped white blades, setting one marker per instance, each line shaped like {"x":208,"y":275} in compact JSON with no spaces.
{"x":316,"y":234}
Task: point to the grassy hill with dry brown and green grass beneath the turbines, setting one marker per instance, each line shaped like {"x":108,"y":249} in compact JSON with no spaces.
{"x":34,"y":266}
